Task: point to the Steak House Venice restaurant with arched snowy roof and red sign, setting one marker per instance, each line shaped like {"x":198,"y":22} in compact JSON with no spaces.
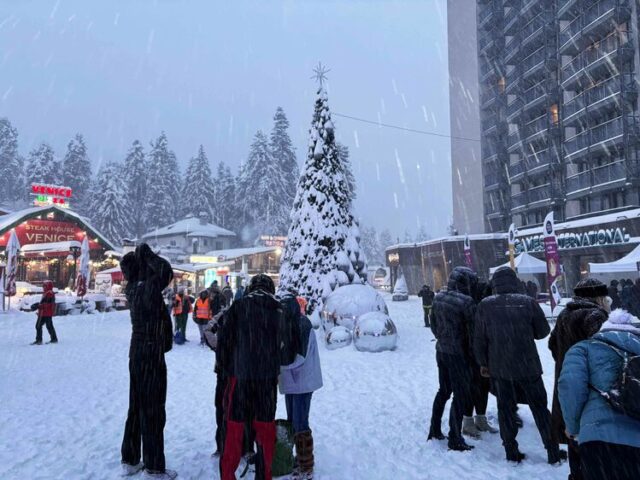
{"x":50,"y":238}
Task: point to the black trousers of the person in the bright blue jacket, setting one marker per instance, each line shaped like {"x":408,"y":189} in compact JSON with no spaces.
{"x":609,"y":461}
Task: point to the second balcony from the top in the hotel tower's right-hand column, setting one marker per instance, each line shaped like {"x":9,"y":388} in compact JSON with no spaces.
{"x":593,"y":60}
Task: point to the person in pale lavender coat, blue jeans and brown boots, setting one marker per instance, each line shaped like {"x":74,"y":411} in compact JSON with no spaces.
{"x":298,"y":381}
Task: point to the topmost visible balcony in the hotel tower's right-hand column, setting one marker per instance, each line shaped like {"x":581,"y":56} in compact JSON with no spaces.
{"x":593,"y":20}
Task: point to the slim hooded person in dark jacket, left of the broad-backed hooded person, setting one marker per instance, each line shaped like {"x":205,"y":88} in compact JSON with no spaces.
{"x":452,"y":317}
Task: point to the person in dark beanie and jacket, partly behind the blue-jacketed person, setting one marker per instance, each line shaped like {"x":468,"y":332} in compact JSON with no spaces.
{"x":581,"y":319}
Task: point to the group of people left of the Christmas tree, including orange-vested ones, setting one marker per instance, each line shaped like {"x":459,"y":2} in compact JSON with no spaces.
{"x":260,"y":340}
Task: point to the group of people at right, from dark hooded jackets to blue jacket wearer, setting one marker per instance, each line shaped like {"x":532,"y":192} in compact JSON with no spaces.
{"x":486,"y":343}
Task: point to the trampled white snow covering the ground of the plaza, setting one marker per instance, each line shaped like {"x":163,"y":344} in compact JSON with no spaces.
{"x":62,"y":408}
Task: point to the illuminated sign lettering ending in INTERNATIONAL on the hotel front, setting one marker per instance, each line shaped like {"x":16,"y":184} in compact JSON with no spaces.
{"x":570,"y":240}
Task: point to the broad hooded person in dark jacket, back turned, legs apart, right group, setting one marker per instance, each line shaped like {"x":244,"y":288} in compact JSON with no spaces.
{"x":508,"y":323}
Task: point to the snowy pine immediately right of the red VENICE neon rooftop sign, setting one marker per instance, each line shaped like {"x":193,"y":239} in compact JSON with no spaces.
{"x":77,"y":172}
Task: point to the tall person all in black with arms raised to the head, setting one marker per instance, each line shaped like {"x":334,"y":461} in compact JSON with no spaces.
{"x":147,"y":276}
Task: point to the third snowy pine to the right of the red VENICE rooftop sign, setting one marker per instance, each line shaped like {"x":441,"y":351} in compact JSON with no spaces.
{"x":136,"y":178}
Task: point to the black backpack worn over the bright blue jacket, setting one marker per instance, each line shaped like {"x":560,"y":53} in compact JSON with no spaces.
{"x":624,"y":394}
